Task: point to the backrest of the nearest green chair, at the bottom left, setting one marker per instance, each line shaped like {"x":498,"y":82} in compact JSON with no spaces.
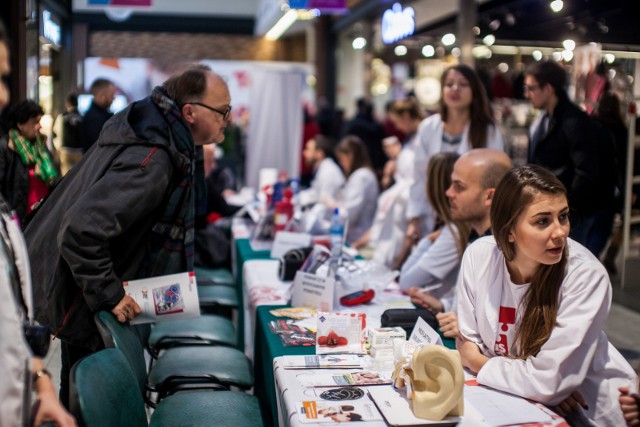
{"x":104,"y":392}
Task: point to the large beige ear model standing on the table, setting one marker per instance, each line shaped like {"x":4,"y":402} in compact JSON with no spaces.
{"x":437,"y":383}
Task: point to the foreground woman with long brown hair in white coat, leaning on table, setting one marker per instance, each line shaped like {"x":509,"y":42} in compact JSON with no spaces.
{"x":533,"y":303}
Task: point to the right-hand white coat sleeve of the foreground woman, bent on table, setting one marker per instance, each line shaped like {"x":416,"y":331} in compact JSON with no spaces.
{"x":564,"y":360}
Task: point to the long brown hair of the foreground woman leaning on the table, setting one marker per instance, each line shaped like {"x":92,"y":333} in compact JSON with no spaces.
{"x":512,"y":196}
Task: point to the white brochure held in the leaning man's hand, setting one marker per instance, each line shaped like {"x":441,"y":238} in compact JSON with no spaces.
{"x":162,"y":298}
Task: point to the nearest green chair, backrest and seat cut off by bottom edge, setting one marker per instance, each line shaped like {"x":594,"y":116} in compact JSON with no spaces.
{"x":104,"y":394}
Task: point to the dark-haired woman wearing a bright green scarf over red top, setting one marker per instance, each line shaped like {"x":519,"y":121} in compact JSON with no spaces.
{"x":27,"y":171}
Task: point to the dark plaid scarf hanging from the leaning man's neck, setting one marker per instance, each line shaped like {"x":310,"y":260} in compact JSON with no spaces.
{"x":172,"y":237}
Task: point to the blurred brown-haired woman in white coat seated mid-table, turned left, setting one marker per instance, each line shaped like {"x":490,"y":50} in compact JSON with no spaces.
{"x":359,"y":195}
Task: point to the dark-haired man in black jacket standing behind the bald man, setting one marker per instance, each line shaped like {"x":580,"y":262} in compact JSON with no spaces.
{"x":564,"y":140}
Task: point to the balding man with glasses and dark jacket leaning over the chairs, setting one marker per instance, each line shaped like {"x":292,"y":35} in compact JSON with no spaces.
{"x":126,"y":211}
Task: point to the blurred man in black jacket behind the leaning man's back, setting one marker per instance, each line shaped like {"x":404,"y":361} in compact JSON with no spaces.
{"x":104,"y":92}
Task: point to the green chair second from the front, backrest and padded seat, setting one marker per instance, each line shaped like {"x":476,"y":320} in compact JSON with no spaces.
{"x":188,"y":367}
